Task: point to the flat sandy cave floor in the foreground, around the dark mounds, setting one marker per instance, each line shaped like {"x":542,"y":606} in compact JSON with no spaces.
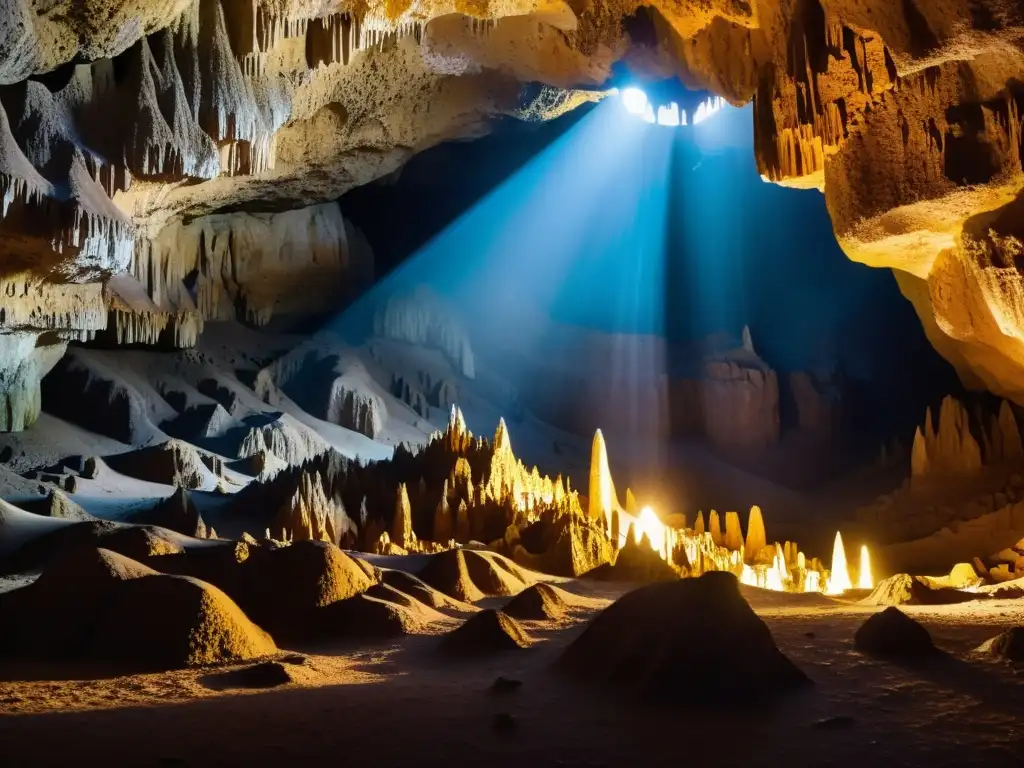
{"x":401,"y":704}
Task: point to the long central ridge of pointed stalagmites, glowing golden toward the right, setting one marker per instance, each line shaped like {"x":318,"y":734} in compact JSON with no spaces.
{"x":463,"y":491}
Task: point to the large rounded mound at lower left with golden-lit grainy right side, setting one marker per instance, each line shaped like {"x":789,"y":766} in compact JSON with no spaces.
{"x":173,"y":622}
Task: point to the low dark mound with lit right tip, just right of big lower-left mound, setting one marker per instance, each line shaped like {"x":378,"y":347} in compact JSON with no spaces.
{"x":366,"y":618}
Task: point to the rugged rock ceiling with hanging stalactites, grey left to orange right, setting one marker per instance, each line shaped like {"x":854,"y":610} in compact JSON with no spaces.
{"x":147,"y":146}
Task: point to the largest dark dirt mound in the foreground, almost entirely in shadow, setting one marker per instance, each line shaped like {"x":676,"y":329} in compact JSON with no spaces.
{"x":693,"y":643}
